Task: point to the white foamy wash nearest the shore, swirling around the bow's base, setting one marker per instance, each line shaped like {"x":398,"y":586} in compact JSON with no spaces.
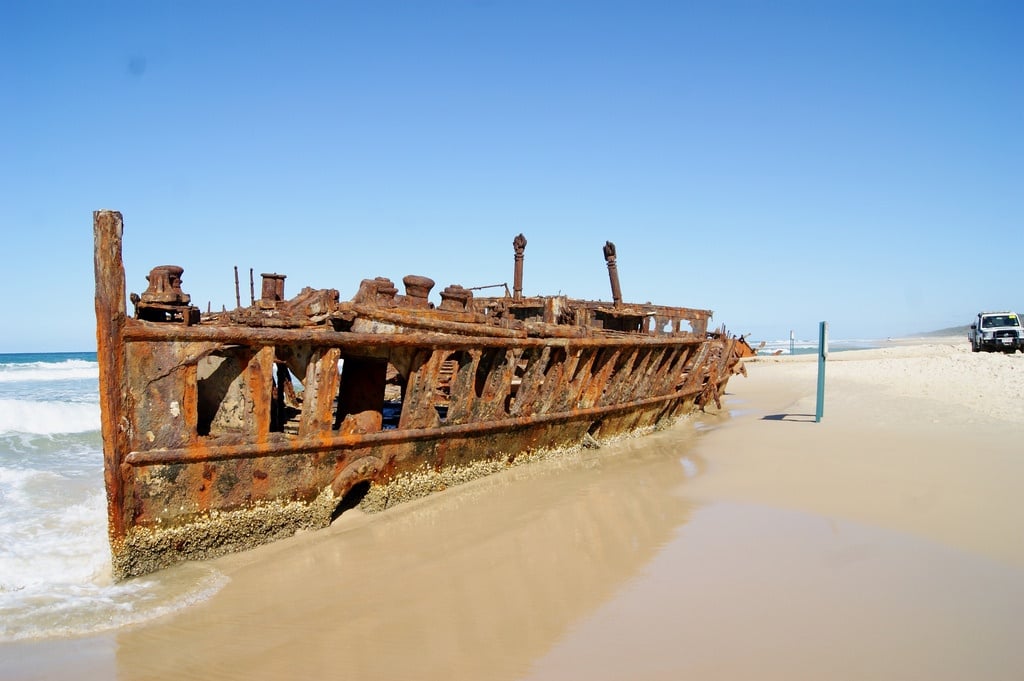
{"x":56,"y":577}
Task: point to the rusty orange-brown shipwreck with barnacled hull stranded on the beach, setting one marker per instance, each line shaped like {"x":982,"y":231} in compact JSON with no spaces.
{"x":227,"y":431}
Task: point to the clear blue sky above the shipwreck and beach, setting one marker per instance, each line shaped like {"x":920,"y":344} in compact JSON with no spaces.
{"x":781,"y":163}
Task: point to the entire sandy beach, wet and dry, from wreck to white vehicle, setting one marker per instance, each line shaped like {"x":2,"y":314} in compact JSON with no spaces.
{"x":883,"y":543}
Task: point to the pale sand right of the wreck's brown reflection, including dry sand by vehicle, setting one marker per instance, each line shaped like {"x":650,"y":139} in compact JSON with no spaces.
{"x":883,"y":543}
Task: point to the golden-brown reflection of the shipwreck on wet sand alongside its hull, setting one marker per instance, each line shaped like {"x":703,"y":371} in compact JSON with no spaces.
{"x":475,"y":583}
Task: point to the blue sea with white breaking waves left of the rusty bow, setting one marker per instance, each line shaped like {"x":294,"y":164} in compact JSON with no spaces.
{"x":55,"y":558}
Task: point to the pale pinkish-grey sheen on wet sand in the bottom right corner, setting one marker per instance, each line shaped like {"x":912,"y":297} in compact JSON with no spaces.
{"x":747,"y":591}
